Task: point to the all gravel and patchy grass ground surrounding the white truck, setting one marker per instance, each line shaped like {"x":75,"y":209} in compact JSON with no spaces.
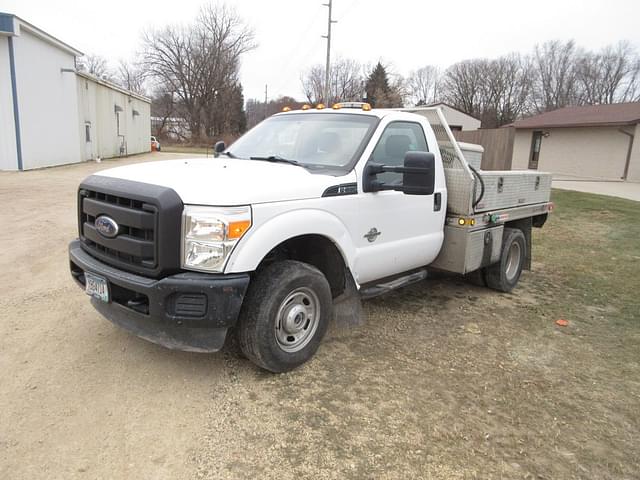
{"x":445,"y":380}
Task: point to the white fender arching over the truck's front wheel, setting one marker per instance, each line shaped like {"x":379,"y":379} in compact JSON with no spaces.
{"x":264,"y":236}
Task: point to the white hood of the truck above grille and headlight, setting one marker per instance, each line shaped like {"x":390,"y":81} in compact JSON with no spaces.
{"x":226,"y":182}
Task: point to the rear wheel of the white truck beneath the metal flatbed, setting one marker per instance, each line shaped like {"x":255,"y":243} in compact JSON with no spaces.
{"x":504,"y":275}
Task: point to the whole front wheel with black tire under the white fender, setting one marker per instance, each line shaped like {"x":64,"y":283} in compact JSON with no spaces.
{"x":277,"y":307}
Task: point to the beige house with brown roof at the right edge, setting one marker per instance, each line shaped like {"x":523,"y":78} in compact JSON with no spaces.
{"x":598,"y":142}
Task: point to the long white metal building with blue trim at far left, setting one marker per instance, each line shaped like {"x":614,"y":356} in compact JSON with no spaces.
{"x":52,"y":115}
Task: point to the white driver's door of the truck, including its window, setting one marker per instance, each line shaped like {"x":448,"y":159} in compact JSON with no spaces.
{"x":396,"y":232}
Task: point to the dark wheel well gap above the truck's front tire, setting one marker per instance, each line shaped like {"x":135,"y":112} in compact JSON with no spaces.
{"x":315,"y":250}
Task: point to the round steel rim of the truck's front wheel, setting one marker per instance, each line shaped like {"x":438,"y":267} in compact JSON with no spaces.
{"x":297,"y":319}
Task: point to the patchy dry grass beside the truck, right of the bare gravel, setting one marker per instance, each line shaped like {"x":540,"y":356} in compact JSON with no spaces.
{"x":449,"y":380}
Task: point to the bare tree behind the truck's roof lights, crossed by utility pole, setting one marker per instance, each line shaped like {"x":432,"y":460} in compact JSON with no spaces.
{"x":345,"y":82}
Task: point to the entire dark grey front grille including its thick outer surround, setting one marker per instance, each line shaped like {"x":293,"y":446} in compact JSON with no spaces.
{"x":148,"y":218}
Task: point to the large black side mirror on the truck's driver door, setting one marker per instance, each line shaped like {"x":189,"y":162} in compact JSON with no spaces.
{"x":418,"y":175}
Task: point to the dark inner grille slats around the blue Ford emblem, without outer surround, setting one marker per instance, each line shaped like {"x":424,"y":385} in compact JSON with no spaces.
{"x":137,"y":221}
